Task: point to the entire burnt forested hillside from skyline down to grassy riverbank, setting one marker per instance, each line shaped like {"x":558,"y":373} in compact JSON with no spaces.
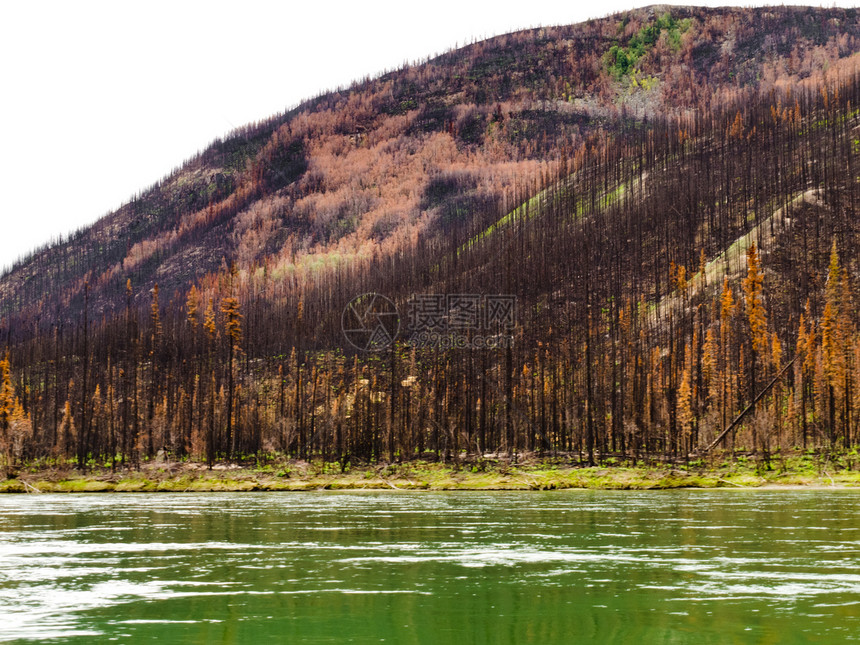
{"x":673,"y":264}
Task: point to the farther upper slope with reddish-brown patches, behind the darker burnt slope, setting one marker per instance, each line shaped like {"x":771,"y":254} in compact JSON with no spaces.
{"x":422,"y":150}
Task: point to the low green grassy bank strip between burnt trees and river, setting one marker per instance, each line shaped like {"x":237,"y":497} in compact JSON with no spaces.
{"x":789,"y":470}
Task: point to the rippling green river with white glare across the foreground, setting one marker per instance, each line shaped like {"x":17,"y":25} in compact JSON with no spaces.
{"x":669,"y":567}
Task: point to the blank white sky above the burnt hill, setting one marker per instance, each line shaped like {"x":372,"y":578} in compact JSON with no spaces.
{"x":101,"y":99}
